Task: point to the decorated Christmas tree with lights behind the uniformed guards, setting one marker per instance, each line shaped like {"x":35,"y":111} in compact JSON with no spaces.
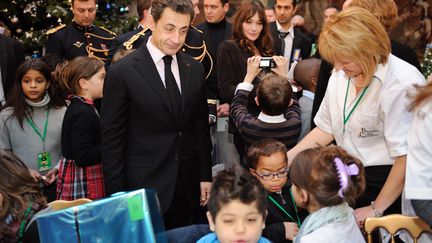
{"x":28,"y":20}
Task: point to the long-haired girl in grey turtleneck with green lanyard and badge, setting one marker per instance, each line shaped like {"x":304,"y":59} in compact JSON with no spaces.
{"x":31,"y":121}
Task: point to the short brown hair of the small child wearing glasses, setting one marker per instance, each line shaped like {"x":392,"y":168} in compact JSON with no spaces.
{"x":263,"y":147}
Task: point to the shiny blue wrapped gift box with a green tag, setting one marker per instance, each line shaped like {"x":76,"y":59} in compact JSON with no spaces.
{"x":127,"y":217}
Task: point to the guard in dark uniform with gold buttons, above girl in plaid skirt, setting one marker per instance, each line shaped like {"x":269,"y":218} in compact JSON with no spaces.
{"x":82,"y":37}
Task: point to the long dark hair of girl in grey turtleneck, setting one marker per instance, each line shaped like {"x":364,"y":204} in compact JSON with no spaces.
{"x":16,"y":98}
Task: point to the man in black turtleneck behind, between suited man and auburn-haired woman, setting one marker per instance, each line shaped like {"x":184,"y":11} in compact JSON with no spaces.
{"x":215,"y":30}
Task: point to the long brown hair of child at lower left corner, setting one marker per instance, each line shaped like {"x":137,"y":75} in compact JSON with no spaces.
{"x":17,"y":187}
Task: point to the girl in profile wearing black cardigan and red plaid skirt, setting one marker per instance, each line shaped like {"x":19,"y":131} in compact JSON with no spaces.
{"x":80,"y":172}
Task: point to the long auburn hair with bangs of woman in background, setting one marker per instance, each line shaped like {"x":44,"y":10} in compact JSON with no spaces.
{"x":264,"y":43}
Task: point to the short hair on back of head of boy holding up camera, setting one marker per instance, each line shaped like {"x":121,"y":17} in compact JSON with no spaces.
{"x":274,"y":94}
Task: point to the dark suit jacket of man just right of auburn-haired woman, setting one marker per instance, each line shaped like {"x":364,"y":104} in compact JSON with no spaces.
{"x":301,"y":41}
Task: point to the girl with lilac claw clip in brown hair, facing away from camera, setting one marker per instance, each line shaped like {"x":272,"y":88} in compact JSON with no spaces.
{"x":325,"y":181}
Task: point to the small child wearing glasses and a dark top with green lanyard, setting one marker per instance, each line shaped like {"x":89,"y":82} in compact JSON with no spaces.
{"x":267,"y":161}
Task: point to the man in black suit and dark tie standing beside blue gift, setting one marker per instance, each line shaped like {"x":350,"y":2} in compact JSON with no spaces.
{"x":154,"y":119}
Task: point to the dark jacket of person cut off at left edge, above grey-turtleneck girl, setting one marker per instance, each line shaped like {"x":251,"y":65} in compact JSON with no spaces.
{"x":12,"y":55}
